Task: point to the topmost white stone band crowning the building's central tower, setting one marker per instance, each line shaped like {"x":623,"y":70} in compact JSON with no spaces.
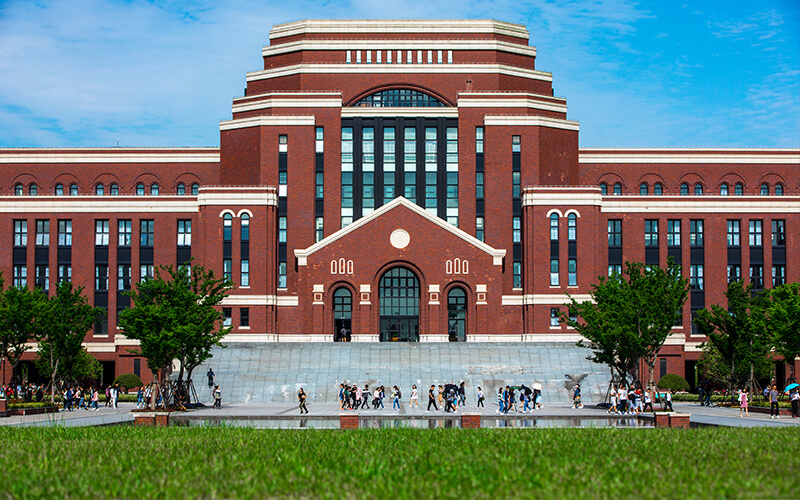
{"x":398,"y":26}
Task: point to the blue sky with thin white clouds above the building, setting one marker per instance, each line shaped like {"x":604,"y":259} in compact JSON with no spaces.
{"x":635,"y":74}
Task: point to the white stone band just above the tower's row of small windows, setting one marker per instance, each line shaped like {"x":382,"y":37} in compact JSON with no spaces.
{"x":395,"y":45}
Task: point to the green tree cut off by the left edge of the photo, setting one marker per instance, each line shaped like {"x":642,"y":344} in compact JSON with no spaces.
{"x":19,"y":310}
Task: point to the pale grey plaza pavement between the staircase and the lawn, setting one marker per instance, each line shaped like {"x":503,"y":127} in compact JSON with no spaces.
{"x":242,"y":412}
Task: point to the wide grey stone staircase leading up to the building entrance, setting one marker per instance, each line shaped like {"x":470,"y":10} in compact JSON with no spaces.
{"x":272,"y":373}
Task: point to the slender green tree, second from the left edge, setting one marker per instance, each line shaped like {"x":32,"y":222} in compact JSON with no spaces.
{"x":66,"y":318}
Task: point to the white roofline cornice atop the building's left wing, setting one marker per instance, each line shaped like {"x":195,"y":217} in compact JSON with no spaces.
{"x":121,"y":155}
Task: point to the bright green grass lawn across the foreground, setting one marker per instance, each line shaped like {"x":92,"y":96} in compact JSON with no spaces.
{"x":219,"y":462}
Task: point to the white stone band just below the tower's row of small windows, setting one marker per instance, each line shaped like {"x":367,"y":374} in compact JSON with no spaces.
{"x":398,"y":69}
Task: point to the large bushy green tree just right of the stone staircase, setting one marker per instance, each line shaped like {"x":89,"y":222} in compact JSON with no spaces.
{"x":630,"y":315}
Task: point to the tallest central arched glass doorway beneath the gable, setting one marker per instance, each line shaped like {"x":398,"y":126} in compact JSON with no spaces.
{"x":399,"y":310}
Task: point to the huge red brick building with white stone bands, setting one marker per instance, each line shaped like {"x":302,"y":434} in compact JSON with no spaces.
{"x":397,"y":181}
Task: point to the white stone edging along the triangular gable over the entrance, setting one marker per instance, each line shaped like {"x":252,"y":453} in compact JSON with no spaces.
{"x":496,"y":254}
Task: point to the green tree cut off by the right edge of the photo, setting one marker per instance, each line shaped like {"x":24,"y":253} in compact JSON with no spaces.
{"x":783,"y":321}
